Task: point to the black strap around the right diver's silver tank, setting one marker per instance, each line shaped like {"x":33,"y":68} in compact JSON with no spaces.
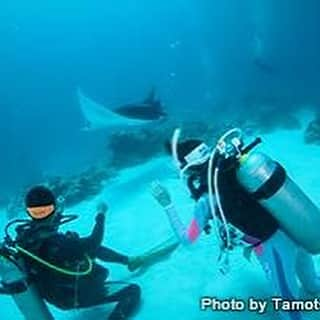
{"x":272,"y":185}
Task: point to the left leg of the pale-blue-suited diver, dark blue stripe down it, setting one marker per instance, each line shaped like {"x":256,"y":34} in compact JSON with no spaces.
{"x":278,"y":259}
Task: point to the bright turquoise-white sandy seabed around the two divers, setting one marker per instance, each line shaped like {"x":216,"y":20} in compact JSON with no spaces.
{"x":172,"y":288}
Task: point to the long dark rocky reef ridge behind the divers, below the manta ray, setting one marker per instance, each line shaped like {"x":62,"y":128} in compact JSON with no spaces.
{"x":137,"y":145}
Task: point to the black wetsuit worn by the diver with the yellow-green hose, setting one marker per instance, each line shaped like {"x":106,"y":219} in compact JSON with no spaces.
{"x":68,"y":250}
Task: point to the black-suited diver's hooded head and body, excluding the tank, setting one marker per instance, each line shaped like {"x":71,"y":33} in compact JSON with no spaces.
{"x":62,"y":266}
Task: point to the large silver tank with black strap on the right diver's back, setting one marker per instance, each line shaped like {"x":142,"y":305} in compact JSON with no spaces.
{"x":267,"y":181}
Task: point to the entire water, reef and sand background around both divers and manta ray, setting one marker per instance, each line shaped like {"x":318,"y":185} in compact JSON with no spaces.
{"x":213,"y":64}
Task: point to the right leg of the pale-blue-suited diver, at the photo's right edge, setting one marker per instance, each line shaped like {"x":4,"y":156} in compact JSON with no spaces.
{"x":306,"y":272}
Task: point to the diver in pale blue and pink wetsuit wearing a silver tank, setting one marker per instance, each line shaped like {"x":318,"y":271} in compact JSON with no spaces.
{"x":252,"y":203}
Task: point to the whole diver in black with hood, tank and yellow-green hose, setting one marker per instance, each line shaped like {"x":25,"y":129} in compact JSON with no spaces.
{"x":43,"y":264}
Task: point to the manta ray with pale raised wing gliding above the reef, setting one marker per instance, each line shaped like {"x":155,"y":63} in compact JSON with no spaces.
{"x":99,"y":117}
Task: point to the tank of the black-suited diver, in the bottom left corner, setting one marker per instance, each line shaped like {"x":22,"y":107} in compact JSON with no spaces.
{"x":15,"y":281}
